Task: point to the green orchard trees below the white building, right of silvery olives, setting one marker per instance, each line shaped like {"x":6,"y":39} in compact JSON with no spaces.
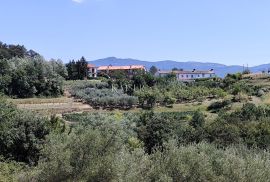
{"x":176,"y":92}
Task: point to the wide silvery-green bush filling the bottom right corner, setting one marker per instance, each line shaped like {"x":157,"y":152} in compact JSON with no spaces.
{"x":204,"y":162}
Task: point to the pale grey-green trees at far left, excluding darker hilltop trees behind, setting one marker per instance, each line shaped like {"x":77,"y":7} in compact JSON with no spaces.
{"x":29,"y":77}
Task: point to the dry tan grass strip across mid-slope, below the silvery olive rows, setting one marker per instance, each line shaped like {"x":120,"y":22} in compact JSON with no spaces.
{"x":65,"y":104}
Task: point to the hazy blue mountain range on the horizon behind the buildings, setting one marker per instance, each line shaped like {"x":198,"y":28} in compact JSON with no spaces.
{"x":220,"y":69}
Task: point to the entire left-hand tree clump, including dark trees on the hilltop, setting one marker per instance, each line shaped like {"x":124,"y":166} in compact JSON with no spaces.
{"x":24,"y":73}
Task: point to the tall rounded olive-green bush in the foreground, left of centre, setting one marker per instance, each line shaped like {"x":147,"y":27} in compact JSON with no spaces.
{"x":88,"y":153}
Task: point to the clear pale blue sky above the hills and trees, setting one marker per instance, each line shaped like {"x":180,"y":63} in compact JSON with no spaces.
{"x":232,"y":32}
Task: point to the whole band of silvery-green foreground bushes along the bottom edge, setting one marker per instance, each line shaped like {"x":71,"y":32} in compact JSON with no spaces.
{"x":196,"y":162}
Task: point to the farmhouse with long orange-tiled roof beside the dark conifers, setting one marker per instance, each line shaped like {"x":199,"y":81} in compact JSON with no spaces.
{"x":93,"y":71}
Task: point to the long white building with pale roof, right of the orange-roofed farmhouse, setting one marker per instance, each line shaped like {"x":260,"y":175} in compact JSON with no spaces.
{"x":188,"y":75}
